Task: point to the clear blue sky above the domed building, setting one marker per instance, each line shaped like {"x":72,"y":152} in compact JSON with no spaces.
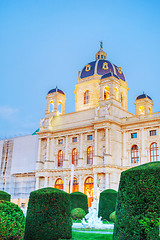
{"x":46,"y":43}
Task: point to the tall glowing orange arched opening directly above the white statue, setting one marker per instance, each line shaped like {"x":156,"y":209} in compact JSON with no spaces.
{"x":88,"y":189}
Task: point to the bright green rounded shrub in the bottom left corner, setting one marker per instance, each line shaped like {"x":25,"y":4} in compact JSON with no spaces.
{"x":12,"y":221}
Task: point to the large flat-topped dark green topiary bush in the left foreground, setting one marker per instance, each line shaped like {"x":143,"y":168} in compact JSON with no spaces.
{"x":48,"y":215}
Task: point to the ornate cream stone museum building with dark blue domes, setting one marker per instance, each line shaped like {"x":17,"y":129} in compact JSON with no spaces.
{"x":101,"y":138}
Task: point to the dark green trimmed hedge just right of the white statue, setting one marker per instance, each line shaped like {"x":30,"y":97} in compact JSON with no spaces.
{"x":107,"y":203}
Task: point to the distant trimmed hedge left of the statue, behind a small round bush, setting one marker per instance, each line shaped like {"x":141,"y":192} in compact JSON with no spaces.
{"x":79,"y":200}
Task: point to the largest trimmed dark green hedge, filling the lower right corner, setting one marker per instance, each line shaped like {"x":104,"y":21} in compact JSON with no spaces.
{"x":138,"y":203}
